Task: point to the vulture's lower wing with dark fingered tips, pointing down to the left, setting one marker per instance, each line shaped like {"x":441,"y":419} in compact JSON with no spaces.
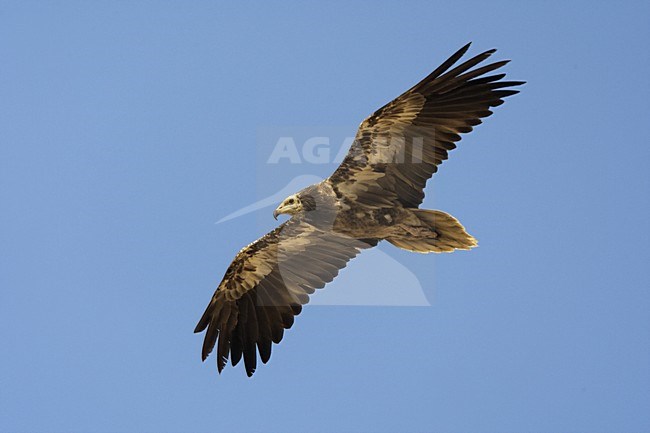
{"x":265,"y":287}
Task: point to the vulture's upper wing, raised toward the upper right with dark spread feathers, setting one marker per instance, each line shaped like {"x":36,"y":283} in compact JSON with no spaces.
{"x":399,"y":147}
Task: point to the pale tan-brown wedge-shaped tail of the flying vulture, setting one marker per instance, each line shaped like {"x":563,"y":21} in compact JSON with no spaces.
{"x":432,"y":231}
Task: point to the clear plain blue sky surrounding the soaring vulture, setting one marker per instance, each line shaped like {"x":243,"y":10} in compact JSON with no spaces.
{"x":127,"y":129}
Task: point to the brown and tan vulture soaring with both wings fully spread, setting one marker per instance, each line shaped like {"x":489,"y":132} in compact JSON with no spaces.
{"x":373,"y":195}
